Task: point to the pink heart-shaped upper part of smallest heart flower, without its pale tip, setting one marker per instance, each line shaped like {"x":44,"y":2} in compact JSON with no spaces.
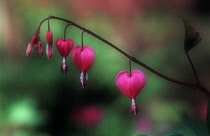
{"x":64,"y":46}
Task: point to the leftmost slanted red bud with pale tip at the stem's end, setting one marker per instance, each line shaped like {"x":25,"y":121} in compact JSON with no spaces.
{"x":32,"y":44}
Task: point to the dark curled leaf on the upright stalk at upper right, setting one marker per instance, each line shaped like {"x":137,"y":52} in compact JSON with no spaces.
{"x":192,"y":38}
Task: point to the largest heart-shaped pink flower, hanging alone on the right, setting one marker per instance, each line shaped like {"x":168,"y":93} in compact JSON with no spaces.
{"x":130,"y":84}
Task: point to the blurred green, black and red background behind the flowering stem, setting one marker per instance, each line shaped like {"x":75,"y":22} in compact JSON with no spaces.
{"x":36,"y":99}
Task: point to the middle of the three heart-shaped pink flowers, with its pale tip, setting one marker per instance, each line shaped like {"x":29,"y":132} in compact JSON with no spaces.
{"x":83,"y":57}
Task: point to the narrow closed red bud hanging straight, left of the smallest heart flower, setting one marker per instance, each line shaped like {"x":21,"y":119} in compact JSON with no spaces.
{"x":49,"y":47}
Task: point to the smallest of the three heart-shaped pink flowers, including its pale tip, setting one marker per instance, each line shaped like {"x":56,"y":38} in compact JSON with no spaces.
{"x":64,"y":46}
